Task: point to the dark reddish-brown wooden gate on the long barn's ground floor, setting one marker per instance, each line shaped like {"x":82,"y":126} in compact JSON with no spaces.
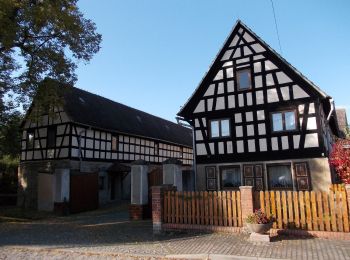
{"x":83,"y":192}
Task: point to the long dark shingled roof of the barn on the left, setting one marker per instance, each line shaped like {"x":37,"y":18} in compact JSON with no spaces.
{"x":93,"y":110}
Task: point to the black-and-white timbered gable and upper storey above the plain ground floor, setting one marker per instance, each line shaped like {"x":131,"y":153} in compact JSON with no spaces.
{"x":252,"y":105}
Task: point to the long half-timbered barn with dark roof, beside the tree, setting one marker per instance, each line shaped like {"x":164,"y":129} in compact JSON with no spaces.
{"x":83,"y":151}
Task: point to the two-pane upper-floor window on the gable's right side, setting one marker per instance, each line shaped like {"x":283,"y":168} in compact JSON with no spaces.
{"x":283,"y":121}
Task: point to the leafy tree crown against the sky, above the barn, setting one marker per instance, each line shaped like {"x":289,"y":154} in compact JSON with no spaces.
{"x":41,"y":39}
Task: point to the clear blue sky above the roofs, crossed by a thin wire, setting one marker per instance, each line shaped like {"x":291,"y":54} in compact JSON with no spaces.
{"x":154,"y":53}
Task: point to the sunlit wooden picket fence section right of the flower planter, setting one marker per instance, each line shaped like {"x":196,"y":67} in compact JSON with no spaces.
{"x":319,"y":211}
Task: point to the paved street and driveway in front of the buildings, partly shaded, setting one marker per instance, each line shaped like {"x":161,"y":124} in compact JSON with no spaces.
{"x":108,"y":234}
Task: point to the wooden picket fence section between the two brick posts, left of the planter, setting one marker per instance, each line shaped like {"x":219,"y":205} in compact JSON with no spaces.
{"x":221,"y":208}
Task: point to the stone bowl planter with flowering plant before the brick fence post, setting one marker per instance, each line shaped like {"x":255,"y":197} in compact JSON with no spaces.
{"x":258,"y":222}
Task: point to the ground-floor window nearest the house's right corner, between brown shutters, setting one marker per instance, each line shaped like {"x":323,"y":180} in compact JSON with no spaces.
{"x":280,"y":177}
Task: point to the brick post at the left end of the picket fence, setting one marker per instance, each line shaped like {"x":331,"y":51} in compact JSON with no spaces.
{"x":158,"y":206}
